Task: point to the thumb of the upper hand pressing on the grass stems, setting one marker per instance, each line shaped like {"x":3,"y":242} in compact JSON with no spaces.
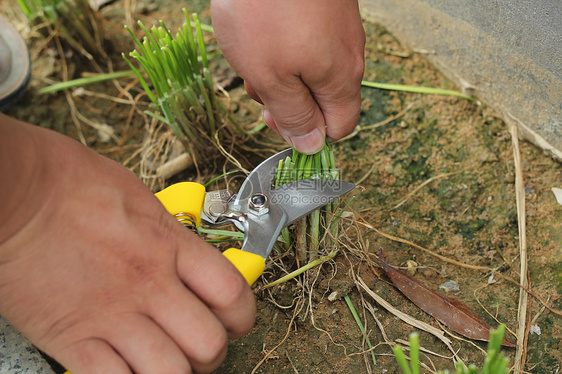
{"x":292,"y":111}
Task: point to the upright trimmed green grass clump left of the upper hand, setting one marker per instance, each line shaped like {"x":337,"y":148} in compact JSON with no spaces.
{"x":183,"y":95}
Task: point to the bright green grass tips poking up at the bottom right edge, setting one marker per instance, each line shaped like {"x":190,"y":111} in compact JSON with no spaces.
{"x":494,"y":363}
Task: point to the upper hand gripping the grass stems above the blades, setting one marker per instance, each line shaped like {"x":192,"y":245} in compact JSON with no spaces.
{"x":302,"y":59}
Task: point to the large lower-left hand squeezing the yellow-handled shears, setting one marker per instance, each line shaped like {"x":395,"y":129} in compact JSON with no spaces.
{"x":98,"y":275}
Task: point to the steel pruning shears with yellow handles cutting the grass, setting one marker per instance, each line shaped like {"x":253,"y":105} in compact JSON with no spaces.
{"x":258,"y":210}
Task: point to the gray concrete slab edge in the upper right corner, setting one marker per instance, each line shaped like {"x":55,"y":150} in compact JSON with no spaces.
{"x":506,"y":53}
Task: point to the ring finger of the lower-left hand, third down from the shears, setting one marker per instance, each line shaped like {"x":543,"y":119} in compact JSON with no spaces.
{"x":146,"y":347}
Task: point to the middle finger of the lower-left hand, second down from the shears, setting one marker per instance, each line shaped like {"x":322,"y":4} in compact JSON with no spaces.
{"x":193,"y":326}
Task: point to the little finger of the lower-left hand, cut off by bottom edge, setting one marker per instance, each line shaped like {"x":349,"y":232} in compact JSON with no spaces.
{"x":92,"y":356}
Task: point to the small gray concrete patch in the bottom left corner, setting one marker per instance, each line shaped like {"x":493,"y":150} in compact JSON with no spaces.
{"x":17,"y":354}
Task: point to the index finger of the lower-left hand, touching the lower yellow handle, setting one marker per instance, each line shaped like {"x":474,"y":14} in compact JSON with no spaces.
{"x":220,"y":285}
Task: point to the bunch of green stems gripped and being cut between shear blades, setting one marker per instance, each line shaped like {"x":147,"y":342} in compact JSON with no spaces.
{"x":312,"y":229}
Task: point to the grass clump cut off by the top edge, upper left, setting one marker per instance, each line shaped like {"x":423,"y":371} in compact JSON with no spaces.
{"x":74,"y":21}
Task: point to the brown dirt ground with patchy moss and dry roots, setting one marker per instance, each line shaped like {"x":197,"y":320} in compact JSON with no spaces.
{"x":439,"y":174}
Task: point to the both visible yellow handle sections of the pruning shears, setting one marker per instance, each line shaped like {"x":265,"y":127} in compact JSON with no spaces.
{"x":186,"y":198}
